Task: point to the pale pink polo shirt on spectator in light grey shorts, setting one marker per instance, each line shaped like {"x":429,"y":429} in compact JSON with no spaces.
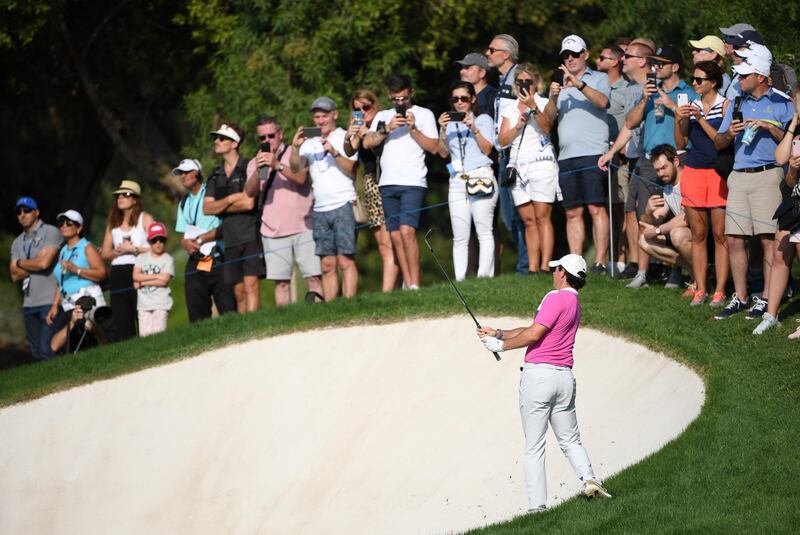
{"x":287,"y":209}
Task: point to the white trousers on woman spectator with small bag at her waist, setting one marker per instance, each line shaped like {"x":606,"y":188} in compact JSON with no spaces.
{"x":463,"y":210}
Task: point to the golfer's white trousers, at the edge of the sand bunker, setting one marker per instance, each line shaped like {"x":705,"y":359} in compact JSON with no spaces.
{"x":547,"y":394}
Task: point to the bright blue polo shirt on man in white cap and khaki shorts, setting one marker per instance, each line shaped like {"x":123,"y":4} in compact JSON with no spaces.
{"x":774,"y":106}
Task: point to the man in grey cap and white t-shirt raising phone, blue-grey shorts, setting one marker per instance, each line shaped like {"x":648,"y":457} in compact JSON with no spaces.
{"x":332,"y":173}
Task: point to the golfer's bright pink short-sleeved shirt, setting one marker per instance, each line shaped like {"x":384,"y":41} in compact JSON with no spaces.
{"x":560,"y":312}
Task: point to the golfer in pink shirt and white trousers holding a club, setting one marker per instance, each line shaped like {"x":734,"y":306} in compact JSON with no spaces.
{"x":547,"y":386}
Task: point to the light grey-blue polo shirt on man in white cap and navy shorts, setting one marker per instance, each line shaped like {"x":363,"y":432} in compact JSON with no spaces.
{"x":582,"y":126}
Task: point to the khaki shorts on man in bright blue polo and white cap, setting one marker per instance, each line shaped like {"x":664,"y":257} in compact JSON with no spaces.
{"x":752,"y":201}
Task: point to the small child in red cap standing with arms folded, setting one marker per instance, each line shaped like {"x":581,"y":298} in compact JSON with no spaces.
{"x":151,"y":275}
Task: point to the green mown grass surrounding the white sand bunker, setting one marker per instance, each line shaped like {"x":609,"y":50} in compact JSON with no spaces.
{"x":734,"y":470}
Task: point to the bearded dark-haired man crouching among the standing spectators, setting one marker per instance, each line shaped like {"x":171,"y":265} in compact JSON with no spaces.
{"x":665,"y":233}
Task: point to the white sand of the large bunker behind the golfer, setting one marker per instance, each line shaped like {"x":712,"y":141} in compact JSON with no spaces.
{"x":404,"y":428}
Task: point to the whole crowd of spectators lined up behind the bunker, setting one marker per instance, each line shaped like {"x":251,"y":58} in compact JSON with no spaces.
{"x":678,"y":165}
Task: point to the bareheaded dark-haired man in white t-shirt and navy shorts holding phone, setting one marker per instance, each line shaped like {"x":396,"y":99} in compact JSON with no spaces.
{"x":407,"y":131}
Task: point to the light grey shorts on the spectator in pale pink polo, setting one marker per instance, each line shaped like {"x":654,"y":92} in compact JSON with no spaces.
{"x":280,"y":254}
